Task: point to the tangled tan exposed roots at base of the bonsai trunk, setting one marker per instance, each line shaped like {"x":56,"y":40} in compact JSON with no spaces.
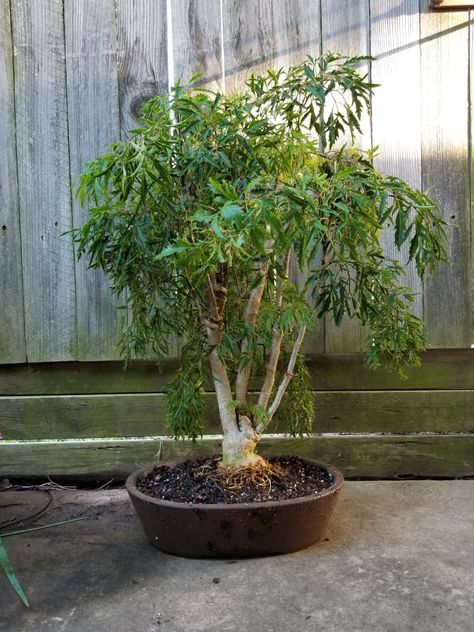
{"x":259,"y":475}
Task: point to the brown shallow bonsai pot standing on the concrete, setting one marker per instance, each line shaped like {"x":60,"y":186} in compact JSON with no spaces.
{"x":235,"y":530}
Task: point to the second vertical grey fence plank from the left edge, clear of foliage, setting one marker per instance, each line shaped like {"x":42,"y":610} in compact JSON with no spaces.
{"x":44,"y":182}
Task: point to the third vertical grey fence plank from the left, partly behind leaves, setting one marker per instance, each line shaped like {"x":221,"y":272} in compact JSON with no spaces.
{"x":93,"y":117}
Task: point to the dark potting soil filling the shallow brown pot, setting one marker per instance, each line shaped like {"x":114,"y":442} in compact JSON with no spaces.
{"x":199,"y":481}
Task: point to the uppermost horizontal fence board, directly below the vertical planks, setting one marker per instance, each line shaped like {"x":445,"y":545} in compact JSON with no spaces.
{"x":440,"y":369}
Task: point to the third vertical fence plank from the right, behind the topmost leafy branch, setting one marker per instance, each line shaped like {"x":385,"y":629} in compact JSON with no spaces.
{"x":345,"y":30}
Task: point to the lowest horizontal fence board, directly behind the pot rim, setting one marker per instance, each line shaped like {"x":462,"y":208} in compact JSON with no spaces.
{"x":371,"y":456}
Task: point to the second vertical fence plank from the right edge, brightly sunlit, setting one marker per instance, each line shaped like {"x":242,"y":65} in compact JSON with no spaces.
{"x":396,"y":123}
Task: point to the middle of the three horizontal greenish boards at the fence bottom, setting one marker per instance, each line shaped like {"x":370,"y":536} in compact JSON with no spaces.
{"x":76,"y":416}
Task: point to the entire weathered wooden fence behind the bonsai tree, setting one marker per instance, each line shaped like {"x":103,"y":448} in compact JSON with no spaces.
{"x":73,"y":74}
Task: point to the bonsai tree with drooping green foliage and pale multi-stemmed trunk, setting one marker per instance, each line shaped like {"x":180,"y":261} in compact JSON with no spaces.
{"x":200,"y":216}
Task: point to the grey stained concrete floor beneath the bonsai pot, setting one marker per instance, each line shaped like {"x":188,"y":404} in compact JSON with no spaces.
{"x":399,"y":556}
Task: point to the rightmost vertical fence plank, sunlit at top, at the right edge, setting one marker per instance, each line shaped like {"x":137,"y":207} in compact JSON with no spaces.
{"x":445,"y":168}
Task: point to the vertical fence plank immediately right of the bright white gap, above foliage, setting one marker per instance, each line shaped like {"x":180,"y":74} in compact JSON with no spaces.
{"x":197,"y":42}
